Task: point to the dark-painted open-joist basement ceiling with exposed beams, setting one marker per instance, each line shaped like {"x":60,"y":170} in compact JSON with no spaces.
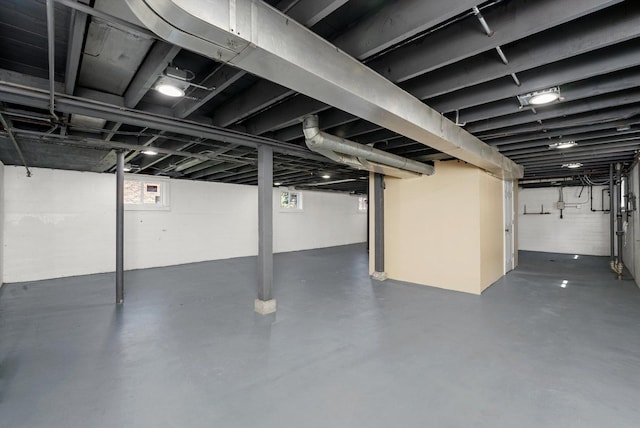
{"x":469,"y":64}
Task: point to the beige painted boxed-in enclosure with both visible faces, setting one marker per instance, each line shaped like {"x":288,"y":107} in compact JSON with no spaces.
{"x":445,"y":230}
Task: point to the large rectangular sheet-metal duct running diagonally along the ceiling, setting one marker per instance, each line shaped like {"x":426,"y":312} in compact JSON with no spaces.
{"x":253,"y":36}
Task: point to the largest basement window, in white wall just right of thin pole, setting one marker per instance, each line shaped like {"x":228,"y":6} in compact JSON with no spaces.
{"x":146,"y":193}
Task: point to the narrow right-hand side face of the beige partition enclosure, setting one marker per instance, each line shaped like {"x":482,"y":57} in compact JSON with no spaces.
{"x":492,"y":234}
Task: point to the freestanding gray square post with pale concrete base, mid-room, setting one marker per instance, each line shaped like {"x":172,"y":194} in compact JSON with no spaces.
{"x":265,"y":303}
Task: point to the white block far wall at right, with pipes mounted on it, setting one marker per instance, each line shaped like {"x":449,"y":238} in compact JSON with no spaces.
{"x":580,"y":231}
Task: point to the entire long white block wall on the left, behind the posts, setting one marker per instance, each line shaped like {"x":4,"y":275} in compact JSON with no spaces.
{"x":62,"y":223}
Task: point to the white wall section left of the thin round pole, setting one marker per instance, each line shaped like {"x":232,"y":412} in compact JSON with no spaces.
{"x":57,"y":223}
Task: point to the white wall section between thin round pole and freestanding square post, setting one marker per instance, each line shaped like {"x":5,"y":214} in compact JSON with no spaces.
{"x":207,"y":221}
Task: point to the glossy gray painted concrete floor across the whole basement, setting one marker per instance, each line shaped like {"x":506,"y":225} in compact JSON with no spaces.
{"x":187,"y":350}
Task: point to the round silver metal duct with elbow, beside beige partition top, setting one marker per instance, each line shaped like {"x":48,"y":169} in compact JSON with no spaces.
{"x":360,"y":156}
